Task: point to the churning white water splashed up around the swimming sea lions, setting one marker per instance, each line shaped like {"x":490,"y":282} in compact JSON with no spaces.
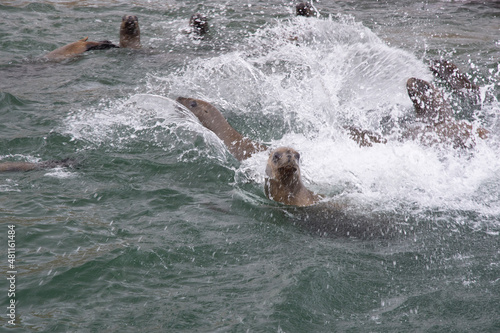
{"x":298,"y":83}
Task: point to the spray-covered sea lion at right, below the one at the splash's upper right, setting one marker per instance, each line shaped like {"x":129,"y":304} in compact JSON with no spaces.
{"x":436,"y":115}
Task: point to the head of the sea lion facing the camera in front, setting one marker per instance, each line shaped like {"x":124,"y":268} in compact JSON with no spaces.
{"x":283,"y":164}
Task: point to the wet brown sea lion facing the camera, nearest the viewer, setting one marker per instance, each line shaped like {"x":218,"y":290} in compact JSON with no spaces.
{"x":283,"y":182}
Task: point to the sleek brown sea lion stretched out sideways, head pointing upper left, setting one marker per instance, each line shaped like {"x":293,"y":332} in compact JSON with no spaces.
{"x":241,"y":147}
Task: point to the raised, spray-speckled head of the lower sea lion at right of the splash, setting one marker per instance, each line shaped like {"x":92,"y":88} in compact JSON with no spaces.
{"x":429,"y":102}
